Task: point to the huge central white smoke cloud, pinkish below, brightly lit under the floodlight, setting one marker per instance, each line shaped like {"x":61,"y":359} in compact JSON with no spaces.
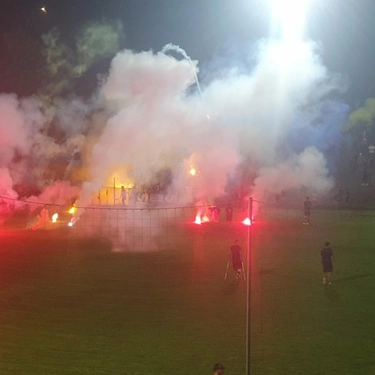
{"x":158,"y":123}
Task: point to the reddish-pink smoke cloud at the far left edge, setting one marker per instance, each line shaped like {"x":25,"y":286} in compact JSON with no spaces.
{"x":28,"y":156}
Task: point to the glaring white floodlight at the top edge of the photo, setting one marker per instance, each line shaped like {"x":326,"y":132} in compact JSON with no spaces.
{"x":291,"y":15}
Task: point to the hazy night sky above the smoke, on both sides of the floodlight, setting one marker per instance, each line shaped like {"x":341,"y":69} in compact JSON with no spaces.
{"x":210,"y":28}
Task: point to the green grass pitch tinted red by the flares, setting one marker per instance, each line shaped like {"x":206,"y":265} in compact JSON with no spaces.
{"x":70,"y":306}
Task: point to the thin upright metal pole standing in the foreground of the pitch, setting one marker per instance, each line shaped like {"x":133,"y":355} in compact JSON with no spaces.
{"x":248,"y":289}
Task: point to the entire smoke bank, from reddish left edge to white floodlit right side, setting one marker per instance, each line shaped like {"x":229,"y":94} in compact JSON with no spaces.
{"x":147,"y":117}
